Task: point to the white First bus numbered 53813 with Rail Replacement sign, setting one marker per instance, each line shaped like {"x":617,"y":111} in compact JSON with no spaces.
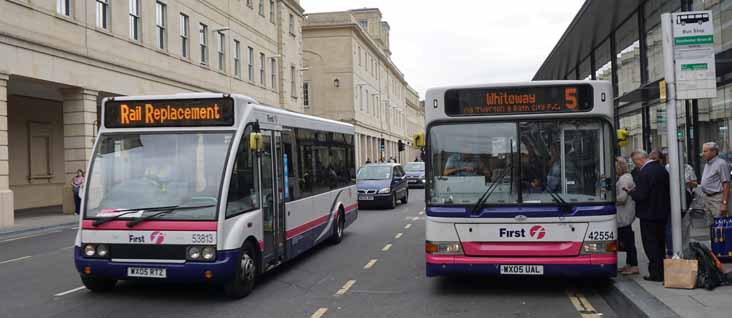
{"x":210,"y":188}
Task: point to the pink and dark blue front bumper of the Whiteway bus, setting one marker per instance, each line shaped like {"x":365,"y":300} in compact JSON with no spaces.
{"x":599,"y":265}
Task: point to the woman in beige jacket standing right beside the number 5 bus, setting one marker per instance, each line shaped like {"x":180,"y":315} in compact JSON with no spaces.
{"x":626,"y":216}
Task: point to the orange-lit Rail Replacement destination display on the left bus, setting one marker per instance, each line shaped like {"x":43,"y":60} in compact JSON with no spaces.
{"x":169,"y":113}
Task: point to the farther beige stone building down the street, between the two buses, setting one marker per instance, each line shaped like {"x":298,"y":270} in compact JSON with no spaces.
{"x":349,"y":76}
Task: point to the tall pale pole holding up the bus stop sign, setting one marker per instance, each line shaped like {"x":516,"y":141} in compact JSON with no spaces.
{"x":673,"y":145}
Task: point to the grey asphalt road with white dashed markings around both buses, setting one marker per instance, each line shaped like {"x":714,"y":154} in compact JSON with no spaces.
{"x":377,"y":271}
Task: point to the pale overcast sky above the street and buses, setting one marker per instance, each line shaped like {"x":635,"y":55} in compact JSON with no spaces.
{"x":437,"y":42}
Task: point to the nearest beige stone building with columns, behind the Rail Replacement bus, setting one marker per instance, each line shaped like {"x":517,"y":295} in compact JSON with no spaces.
{"x":59,"y":58}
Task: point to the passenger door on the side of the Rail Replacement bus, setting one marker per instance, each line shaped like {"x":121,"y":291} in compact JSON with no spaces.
{"x":272,"y":197}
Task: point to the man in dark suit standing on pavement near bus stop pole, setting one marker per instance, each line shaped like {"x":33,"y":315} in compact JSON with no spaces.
{"x":653,"y":207}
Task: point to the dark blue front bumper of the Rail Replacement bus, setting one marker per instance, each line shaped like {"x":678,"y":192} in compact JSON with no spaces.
{"x":221,"y":270}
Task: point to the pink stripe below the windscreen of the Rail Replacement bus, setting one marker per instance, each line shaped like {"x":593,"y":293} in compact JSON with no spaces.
{"x":154,"y":225}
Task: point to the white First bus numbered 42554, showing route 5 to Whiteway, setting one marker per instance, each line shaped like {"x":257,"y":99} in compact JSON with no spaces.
{"x":520,"y":179}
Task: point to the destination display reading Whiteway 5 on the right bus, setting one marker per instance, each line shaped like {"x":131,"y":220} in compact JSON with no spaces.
{"x":518,"y":100}
